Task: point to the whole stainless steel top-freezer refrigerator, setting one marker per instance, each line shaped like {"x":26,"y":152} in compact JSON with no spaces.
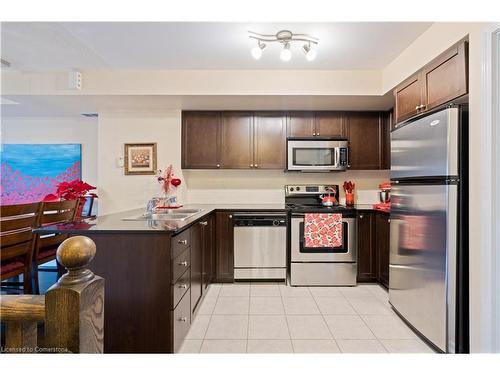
{"x":428,"y":272}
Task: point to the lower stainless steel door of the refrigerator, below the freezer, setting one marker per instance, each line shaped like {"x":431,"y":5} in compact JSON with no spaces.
{"x":423,"y":259}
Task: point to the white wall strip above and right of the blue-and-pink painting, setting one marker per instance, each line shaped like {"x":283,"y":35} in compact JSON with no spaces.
{"x":57,"y":130}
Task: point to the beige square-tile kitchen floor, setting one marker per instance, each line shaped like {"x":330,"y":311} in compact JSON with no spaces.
{"x":276,"y":318}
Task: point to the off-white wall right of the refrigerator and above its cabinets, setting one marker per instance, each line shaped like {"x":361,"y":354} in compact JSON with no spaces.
{"x":431,"y":43}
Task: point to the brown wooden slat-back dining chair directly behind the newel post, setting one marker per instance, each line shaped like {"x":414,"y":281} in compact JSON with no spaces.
{"x":46,"y":244}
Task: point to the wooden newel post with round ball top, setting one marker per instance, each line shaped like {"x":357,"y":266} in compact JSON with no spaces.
{"x":74,"y":306}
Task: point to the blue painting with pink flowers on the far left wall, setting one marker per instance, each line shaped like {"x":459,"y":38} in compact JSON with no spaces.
{"x":31,"y":171}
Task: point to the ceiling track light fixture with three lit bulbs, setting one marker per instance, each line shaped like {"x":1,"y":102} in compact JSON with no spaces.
{"x":286,"y":38}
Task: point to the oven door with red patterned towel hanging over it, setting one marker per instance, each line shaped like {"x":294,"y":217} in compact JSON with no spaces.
{"x":346,"y":253}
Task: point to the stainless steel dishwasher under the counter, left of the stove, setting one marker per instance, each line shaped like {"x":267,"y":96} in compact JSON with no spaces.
{"x":260,"y":246}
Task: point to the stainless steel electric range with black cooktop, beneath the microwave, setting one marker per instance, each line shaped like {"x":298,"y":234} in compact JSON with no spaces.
{"x":334,"y":266}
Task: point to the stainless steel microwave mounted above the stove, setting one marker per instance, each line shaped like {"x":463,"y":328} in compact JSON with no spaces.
{"x":318,"y":154}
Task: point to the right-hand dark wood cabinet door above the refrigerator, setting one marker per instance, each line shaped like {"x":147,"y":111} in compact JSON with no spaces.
{"x":446,"y":77}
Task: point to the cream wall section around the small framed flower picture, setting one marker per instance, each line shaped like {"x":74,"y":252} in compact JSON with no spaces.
{"x":117,"y":191}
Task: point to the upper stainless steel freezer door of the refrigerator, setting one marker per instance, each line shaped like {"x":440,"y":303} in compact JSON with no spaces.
{"x":427,"y":147}
